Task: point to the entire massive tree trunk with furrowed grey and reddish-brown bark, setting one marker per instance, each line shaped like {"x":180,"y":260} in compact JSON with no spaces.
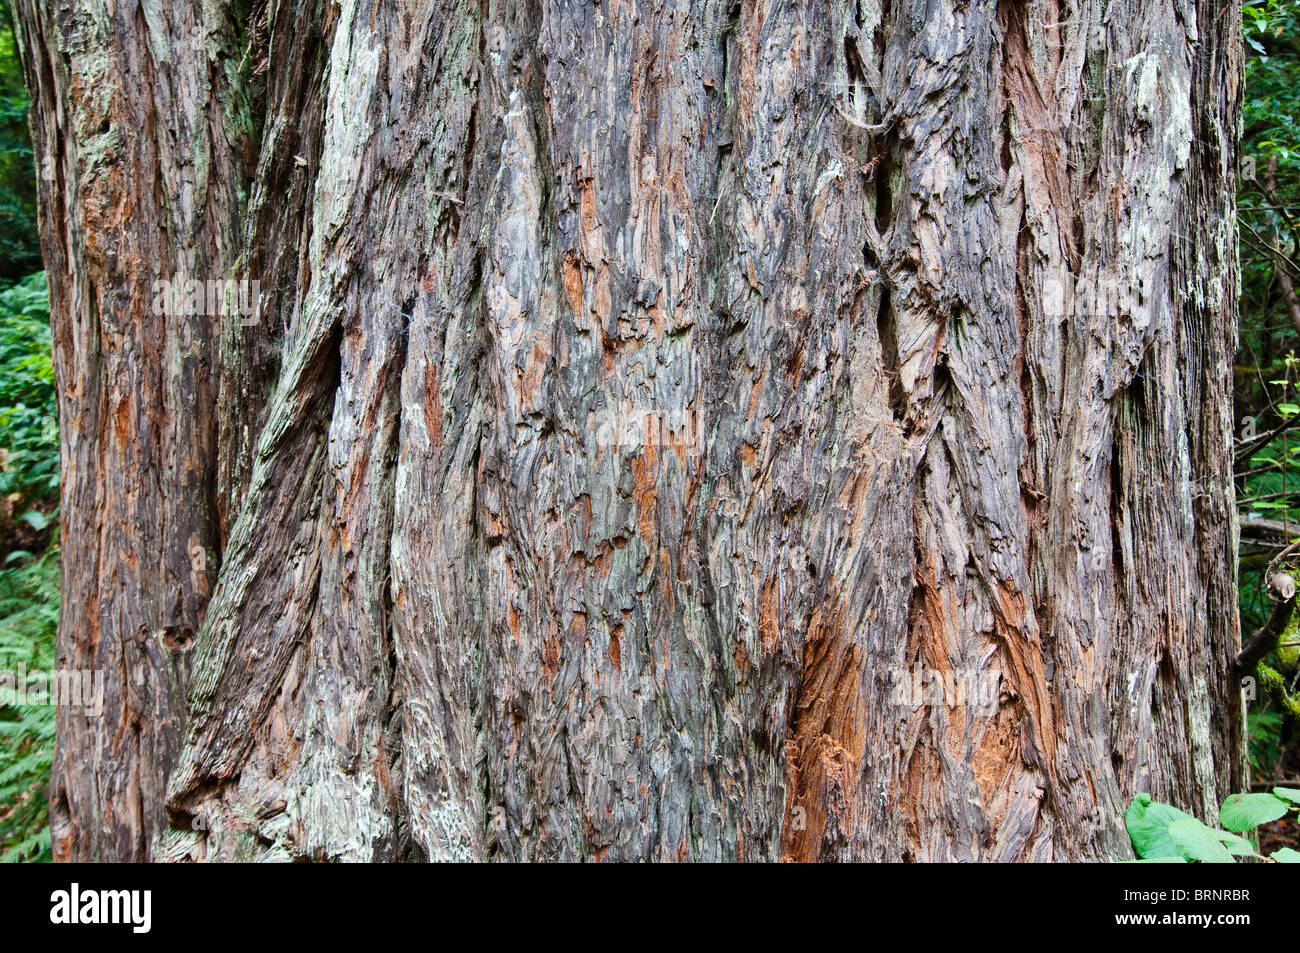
{"x":640,"y":391}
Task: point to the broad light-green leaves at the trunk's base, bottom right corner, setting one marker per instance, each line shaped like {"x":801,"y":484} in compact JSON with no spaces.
{"x":1162,"y":833}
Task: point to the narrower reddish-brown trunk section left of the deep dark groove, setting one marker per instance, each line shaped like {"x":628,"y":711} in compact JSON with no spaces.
{"x":138,"y":188}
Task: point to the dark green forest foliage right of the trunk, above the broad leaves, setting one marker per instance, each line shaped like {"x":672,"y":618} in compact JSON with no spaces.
{"x":1267,"y":374}
